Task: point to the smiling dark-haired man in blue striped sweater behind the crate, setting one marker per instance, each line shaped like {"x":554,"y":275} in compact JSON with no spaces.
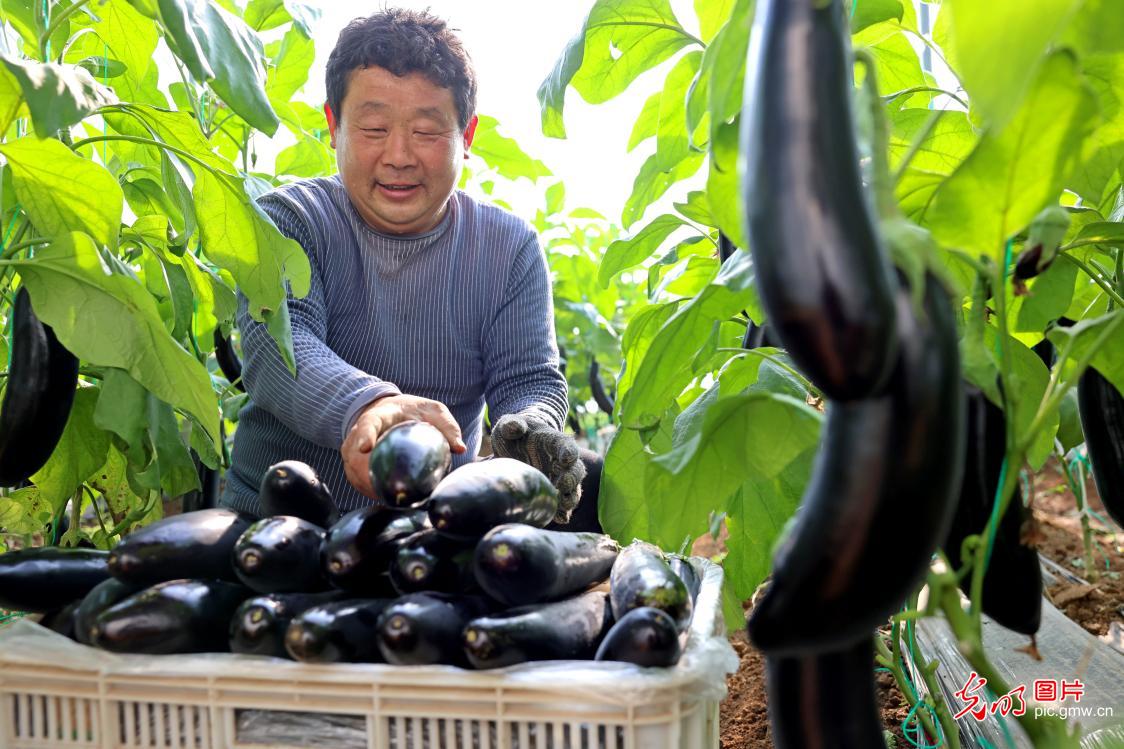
{"x":424,"y":305}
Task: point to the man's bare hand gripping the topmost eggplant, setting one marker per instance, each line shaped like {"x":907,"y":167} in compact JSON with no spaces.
{"x":382,"y":416}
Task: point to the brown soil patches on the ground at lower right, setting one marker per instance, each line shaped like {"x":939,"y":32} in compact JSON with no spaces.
{"x":744,"y":717}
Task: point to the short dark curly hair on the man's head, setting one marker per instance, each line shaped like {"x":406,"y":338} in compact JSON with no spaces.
{"x":404,"y":42}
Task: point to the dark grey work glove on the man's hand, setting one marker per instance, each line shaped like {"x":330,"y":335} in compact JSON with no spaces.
{"x":532,"y":440}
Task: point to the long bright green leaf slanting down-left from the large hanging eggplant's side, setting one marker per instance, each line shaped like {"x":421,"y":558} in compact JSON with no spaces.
{"x":666,"y":368}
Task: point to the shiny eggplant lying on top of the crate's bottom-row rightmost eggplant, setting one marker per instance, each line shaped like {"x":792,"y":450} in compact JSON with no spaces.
{"x":642,"y":577}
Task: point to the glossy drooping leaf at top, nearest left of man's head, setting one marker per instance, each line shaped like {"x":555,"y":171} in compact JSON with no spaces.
{"x":221,"y":49}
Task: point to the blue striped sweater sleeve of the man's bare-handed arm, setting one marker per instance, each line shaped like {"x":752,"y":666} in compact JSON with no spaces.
{"x":322,"y":402}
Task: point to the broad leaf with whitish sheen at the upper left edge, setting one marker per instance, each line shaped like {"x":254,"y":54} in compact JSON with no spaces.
{"x":58,"y":96}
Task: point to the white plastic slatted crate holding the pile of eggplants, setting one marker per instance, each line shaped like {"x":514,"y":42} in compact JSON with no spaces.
{"x":58,"y":693}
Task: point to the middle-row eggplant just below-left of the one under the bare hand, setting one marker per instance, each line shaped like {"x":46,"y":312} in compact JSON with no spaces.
{"x":358,"y":551}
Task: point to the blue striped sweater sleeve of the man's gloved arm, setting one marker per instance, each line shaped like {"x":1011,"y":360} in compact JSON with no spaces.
{"x":521,"y":350}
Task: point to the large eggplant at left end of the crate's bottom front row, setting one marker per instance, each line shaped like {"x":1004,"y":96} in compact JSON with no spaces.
{"x":170,"y":618}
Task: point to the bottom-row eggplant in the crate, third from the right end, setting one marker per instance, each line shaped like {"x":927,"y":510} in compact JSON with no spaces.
{"x":425,"y":628}
